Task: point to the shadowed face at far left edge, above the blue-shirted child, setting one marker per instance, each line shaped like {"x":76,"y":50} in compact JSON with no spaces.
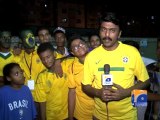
{"x":5,"y":39}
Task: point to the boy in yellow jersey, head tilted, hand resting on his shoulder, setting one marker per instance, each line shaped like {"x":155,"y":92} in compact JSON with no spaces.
{"x":51,"y":92}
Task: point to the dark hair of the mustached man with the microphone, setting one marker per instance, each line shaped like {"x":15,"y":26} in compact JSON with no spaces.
{"x":110,"y":17}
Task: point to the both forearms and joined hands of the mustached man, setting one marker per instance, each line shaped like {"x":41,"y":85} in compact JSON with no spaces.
{"x":111,"y":94}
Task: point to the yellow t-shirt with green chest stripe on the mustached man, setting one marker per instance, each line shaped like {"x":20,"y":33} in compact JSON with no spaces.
{"x":126,"y":63}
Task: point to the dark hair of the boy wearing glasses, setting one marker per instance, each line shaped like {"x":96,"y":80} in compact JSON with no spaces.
{"x":72,"y":38}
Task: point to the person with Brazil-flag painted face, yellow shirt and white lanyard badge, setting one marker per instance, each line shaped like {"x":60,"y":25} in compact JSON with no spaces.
{"x":30,"y":61}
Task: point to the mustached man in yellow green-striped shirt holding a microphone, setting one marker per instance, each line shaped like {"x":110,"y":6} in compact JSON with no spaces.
{"x":125,"y":63}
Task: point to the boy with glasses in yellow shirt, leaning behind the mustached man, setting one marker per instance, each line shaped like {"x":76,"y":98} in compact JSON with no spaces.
{"x":80,"y":105}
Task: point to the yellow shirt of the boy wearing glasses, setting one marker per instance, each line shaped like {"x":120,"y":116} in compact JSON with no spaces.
{"x":84,"y":104}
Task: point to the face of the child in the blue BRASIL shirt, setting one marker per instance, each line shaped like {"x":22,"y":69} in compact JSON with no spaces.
{"x":16,"y":76}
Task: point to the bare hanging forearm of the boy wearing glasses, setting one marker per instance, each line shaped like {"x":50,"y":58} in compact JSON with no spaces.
{"x":71,"y":103}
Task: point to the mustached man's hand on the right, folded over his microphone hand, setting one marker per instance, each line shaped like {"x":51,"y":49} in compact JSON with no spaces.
{"x":116,"y":94}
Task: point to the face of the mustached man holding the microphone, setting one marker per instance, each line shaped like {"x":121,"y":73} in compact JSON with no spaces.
{"x":109,"y":34}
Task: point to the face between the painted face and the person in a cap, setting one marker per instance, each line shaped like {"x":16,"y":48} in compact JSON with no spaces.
{"x":44,"y":36}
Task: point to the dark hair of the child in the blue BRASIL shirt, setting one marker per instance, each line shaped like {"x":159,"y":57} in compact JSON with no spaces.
{"x":7,"y":71}
